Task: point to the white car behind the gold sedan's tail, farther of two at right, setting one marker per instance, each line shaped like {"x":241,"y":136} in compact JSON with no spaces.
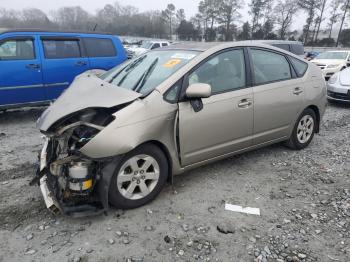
{"x":332,"y":62}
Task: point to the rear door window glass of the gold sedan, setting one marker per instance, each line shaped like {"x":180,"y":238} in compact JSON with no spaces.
{"x":269,"y":67}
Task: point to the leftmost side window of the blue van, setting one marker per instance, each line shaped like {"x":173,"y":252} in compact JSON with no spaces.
{"x":17,"y":49}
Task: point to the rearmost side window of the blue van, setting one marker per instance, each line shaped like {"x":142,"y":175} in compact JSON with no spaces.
{"x":98,"y":47}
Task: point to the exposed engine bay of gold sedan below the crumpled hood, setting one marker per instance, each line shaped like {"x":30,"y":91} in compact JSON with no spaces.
{"x":69,"y":180}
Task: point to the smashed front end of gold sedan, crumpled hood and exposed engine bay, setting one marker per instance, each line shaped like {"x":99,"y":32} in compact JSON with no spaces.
{"x":71,"y":182}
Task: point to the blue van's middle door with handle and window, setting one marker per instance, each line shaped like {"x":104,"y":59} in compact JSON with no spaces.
{"x":63,"y":60}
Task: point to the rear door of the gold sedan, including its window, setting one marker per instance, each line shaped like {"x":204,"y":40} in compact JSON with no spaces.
{"x":278,"y":95}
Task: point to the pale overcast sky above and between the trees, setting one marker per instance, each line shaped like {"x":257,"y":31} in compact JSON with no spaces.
{"x":190,"y":6}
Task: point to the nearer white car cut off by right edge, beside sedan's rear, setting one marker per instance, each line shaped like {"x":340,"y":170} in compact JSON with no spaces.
{"x":338,"y":86}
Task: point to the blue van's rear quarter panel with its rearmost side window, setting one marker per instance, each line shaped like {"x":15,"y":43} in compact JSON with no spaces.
{"x":103,"y":53}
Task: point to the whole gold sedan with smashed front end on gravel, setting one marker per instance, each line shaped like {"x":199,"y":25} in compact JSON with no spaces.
{"x":118,"y":138}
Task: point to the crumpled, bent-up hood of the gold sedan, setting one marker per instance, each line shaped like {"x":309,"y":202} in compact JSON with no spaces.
{"x":87,"y":91}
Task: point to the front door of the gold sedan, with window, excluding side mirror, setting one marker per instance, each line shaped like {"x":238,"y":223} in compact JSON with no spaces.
{"x":225,"y":124}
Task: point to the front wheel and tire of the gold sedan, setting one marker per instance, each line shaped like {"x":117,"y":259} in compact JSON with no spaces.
{"x":139,"y":177}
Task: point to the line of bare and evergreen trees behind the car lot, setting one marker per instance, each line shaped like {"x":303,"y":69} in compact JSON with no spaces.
{"x":219,"y":20}
